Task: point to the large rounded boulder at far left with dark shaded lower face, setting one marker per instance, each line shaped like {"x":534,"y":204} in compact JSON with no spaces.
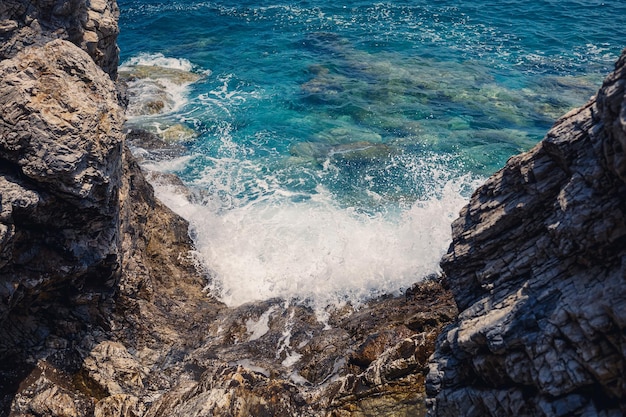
{"x":60,"y":174}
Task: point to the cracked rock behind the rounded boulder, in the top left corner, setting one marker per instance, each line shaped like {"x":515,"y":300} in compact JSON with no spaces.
{"x":89,"y":24}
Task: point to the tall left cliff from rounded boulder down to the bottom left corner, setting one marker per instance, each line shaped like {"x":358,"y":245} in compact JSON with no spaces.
{"x":96,"y":275}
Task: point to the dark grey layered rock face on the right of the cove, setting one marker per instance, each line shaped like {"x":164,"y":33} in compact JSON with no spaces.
{"x":538,"y":269}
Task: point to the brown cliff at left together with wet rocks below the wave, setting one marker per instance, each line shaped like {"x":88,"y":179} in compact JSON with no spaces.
{"x":102,"y":308}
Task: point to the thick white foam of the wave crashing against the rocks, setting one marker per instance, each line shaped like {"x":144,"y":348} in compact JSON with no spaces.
{"x":314,"y":250}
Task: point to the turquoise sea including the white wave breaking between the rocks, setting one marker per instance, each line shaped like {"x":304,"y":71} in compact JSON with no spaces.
{"x":328,"y":145}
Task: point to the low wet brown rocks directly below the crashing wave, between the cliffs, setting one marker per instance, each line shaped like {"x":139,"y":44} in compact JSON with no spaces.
{"x":268,"y":359}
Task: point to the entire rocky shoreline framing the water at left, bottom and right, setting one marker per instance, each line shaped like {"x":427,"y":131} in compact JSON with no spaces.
{"x":103,"y":312}
